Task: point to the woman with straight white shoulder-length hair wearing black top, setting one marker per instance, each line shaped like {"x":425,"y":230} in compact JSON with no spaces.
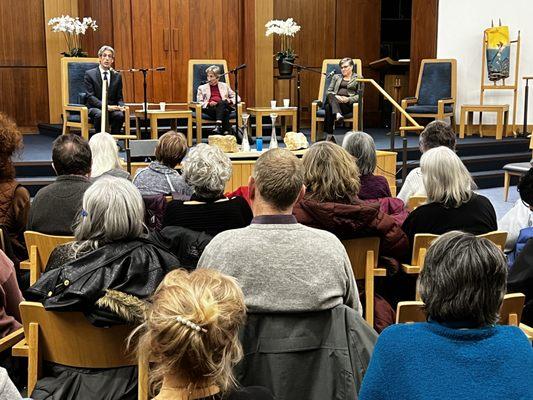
{"x":452,"y":203}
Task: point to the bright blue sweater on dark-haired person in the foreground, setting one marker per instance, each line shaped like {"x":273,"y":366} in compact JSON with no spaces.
{"x":431,"y":361}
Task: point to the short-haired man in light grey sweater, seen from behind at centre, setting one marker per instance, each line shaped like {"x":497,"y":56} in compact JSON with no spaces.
{"x":281,"y":265}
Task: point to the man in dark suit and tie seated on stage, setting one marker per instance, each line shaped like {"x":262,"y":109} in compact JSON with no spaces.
{"x":93,"y":85}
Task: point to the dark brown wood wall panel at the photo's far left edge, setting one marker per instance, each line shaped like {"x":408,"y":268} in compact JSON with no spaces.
{"x":23,"y":80}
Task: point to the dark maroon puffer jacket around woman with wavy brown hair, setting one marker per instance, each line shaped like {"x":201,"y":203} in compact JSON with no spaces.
{"x":358,"y":219}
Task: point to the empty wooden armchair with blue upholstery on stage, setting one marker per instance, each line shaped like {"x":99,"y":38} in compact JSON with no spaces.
{"x":435,"y":93}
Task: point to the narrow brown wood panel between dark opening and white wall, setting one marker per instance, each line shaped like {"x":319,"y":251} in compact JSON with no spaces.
{"x":424,"y":20}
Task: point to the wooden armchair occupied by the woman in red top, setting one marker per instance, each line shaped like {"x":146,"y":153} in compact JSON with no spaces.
{"x":198,"y":76}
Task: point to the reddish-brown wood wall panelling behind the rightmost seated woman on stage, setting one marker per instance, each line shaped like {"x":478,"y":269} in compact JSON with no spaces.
{"x":333,"y":29}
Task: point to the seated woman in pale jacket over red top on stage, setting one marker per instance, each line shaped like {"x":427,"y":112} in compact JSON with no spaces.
{"x":217,"y":99}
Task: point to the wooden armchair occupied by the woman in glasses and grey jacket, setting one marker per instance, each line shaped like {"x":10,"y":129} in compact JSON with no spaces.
{"x":317,"y":111}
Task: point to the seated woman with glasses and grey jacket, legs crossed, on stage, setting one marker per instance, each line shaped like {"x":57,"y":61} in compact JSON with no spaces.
{"x":341,"y":95}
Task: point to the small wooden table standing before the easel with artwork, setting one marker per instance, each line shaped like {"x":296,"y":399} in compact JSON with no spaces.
{"x":467,"y":116}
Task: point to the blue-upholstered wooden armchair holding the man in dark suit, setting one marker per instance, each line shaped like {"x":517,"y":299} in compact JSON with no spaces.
{"x":73,"y":97}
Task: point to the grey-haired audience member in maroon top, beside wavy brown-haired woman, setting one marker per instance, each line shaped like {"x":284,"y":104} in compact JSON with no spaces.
{"x":362,"y":147}
